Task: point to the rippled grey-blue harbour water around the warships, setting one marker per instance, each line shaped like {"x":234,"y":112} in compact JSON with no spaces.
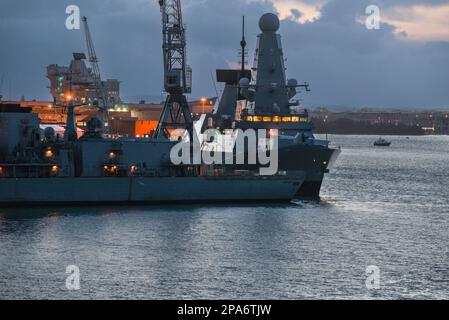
{"x":384,"y":207}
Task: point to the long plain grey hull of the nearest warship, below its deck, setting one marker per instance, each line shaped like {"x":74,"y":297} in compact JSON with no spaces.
{"x":147,"y":190}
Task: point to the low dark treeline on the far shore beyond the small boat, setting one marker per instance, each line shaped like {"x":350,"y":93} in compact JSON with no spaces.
{"x":348,"y":126}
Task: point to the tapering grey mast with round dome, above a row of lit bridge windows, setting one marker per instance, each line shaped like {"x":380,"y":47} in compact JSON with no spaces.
{"x":269,"y":97}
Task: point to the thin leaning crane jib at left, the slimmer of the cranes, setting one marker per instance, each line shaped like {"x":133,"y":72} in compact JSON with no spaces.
{"x":103,"y":101}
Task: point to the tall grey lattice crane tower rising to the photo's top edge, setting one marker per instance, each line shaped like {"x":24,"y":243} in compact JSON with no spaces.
{"x":177,"y":74}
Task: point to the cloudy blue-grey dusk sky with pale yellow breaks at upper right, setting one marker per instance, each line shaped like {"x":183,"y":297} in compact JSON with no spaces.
{"x":404,"y":64}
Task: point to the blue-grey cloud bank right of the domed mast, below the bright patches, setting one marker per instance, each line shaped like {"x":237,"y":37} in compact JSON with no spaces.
{"x":347,"y":64}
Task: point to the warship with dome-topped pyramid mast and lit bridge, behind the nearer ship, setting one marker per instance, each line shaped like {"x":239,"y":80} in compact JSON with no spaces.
{"x":263,"y":98}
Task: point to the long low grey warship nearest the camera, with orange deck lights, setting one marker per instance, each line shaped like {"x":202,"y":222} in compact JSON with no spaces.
{"x":42,"y":168}
